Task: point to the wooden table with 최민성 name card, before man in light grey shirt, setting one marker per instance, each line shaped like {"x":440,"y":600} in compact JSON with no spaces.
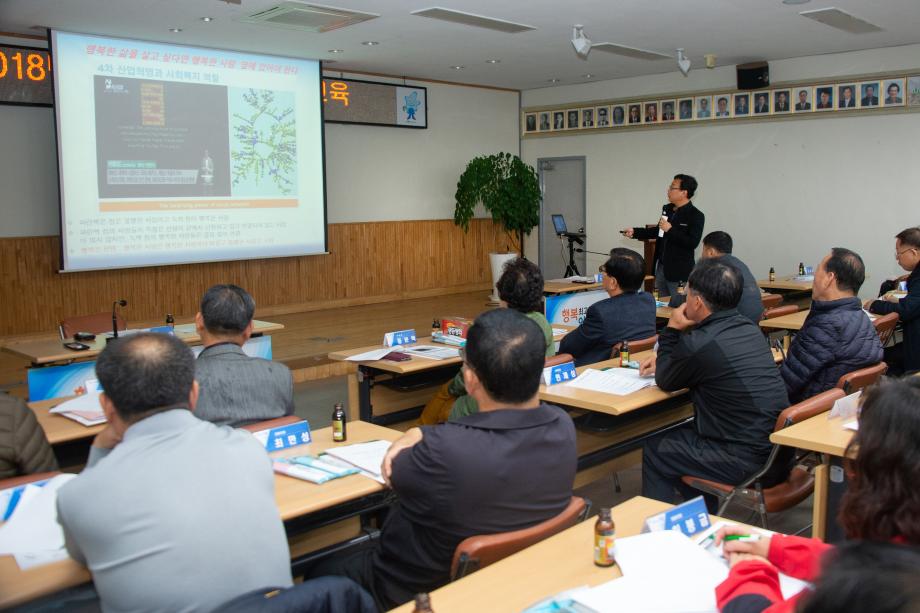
{"x":314,"y":516}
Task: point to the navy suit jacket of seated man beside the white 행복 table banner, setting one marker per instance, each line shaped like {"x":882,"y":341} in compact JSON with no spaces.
{"x":629,"y":316}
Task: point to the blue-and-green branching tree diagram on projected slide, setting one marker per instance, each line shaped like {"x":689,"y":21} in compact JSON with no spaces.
{"x":267,"y":142}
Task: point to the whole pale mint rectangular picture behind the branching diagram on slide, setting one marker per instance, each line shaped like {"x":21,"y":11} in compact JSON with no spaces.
{"x":263,"y":143}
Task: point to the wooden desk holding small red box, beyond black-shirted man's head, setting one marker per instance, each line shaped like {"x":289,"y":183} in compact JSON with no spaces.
{"x":398,"y":406}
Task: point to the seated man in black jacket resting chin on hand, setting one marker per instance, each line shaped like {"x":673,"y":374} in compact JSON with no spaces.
{"x":735,"y":387}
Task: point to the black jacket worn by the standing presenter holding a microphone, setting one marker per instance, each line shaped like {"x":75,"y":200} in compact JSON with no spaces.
{"x":675,"y":248}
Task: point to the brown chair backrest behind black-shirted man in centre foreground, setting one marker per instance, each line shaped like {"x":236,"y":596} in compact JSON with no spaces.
{"x":479,"y":551}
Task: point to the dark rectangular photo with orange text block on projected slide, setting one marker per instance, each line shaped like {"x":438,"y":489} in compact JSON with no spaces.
{"x":161,"y":139}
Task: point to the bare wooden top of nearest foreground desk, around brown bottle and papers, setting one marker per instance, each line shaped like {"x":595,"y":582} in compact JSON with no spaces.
{"x":559,"y":563}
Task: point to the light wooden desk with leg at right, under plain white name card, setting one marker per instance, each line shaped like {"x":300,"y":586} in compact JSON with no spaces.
{"x":824,"y":435}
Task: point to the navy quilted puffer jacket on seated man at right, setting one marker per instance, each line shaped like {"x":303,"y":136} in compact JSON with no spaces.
{"x":835,"y":339}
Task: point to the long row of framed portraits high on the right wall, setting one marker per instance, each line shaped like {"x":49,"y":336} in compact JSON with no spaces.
{"x":760,"y":103}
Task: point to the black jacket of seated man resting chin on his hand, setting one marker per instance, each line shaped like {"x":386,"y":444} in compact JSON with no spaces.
{"x":734,"y":383}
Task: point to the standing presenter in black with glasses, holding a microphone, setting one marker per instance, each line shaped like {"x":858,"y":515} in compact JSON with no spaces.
{"x":678,"y":234}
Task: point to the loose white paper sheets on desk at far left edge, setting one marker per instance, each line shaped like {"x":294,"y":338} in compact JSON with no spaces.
{"x":32,"y":534}
